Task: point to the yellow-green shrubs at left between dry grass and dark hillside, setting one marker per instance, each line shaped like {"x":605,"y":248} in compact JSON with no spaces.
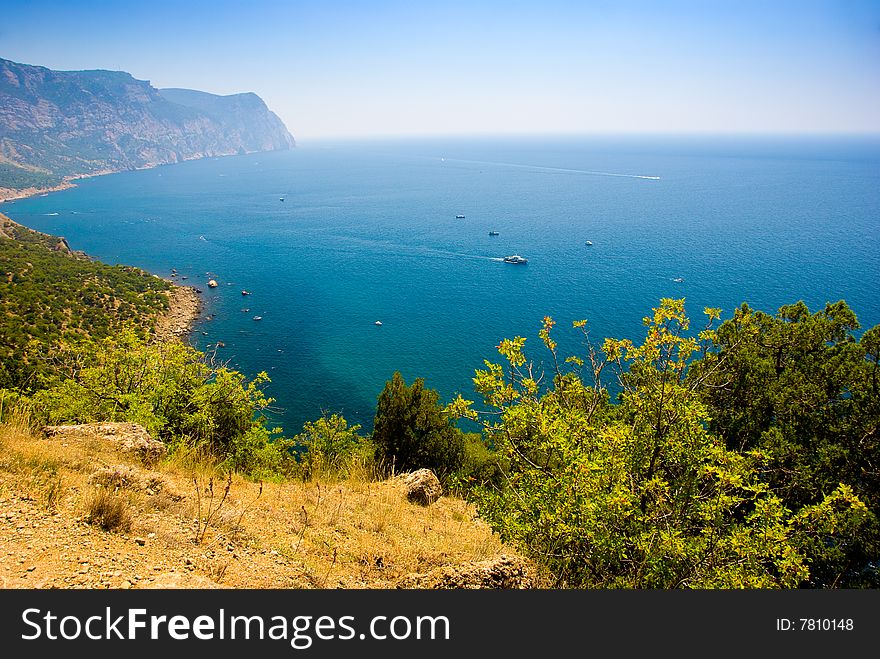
{"x":176,"y":392}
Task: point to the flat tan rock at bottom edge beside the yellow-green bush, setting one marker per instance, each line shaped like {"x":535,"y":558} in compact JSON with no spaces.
{"x":504,"y":572}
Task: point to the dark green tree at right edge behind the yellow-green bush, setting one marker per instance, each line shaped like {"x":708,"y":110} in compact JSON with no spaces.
{"x":799,"y":388}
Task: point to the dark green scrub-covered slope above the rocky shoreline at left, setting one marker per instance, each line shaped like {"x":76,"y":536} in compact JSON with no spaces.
{"x":51,"y":296}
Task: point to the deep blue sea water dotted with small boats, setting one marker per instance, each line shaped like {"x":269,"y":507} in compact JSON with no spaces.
{"x":368,"y":231}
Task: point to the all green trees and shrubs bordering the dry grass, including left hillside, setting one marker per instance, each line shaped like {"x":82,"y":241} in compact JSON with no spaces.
{"x":740,"y":455}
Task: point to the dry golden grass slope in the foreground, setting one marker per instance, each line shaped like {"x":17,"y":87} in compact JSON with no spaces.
{"x":192,"y":523}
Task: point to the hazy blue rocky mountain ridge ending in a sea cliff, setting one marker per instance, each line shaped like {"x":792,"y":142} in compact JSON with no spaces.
{"x":60,"y":125}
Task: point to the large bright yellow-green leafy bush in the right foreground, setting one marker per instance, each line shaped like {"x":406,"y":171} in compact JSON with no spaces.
{"x":639,"y":493}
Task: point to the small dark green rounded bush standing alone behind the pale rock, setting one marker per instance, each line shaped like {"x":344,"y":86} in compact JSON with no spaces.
{"x":412,"y":431}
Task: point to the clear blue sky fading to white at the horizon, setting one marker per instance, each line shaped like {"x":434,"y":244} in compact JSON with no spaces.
{"x":334,"y":68}
